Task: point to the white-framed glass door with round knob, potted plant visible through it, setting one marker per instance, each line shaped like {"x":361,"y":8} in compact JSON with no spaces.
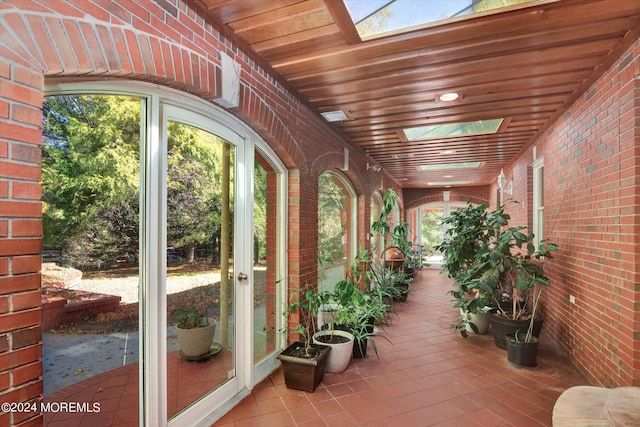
{"x":207,"y":264}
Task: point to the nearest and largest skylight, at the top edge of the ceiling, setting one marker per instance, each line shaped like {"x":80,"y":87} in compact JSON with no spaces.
{"x":374,"y":18}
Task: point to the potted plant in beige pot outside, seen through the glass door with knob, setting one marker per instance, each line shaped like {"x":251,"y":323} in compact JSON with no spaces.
{"x":195,"y":330}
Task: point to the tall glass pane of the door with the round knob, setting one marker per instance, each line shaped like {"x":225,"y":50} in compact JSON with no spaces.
{"x":200,"y":293}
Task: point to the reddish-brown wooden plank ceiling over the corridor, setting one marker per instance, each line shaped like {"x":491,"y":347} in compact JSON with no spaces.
{"x":526,"y":65}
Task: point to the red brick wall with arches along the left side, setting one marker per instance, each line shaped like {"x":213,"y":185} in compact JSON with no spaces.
{"x":162,"y":42}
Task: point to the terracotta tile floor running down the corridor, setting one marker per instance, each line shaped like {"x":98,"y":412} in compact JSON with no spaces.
{"x":428,"y":376}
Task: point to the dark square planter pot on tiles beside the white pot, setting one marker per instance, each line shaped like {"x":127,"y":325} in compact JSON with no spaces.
{"x":303,"y":373}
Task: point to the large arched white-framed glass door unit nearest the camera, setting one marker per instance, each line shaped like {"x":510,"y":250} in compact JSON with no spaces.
{"x":192,"y":226}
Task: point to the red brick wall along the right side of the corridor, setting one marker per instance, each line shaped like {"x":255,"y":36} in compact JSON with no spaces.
{"x":592,"y":165}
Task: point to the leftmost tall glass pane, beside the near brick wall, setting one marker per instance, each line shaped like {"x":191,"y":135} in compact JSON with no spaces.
{"x":90,"y":273}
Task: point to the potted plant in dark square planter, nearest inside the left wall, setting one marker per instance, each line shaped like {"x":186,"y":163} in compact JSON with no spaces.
{"x":303,"y":362}
